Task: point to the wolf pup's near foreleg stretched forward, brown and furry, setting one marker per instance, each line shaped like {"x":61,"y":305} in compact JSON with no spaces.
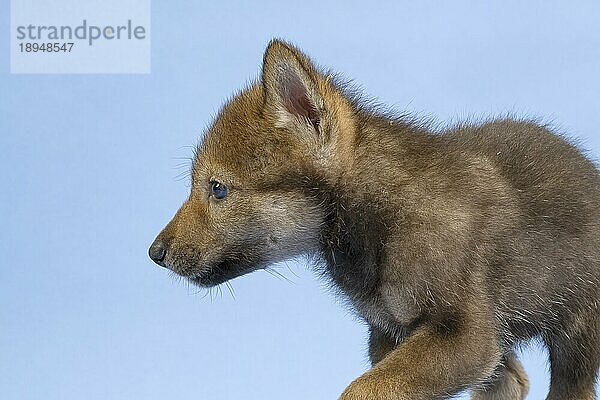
{"x":432,"y":363}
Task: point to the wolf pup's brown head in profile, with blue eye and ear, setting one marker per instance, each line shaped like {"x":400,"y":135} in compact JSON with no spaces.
{"x":259,"y":174}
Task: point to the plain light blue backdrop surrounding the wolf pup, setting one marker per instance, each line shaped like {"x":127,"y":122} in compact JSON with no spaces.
{"x":89,"y":176}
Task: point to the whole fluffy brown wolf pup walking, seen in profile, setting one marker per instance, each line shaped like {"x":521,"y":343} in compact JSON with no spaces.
{"x":455,"y":247}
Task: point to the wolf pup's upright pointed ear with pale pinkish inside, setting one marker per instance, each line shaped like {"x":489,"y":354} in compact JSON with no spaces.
{"x":290,"y":83}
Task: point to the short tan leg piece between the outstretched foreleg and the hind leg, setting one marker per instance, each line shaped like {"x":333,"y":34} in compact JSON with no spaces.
{"x":508,"y":383}
